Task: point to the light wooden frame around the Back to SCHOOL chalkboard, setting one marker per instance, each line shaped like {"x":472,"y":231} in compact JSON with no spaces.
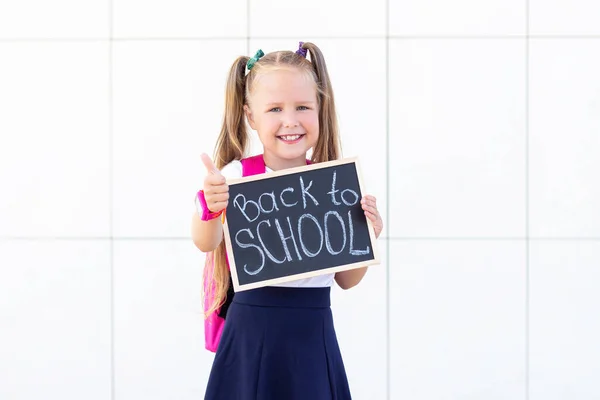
{"x":289,"y":171}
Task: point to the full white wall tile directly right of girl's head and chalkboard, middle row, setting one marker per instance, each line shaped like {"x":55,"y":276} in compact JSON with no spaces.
{"x":457,"y":136}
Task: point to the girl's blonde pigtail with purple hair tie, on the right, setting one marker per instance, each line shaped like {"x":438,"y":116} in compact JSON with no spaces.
{"x":328,"y":147}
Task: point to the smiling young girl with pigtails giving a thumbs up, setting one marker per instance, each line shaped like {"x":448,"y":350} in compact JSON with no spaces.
{"x":278,"y":342}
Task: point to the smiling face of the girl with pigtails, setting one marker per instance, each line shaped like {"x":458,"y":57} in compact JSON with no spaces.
{"x":283,"y":109}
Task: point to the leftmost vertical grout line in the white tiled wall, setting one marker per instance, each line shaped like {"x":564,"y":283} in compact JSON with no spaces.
{"x":113,"y":394}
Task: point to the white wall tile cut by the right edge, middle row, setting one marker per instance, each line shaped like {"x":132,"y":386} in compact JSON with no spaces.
{"x":564,"y":138}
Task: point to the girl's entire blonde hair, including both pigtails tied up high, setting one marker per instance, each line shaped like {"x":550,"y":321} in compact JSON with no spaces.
{"x":233,"y":139}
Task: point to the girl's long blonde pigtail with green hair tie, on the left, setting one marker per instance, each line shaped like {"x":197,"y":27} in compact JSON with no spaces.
{"x":230,"y":146}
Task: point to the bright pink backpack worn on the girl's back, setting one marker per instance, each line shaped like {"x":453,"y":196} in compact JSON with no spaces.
{"x":214,"y":323}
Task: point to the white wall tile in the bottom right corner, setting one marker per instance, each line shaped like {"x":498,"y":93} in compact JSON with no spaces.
{"x":564,"y":324}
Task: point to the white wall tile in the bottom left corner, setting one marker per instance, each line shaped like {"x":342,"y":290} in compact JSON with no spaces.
{"x":55,"y":320}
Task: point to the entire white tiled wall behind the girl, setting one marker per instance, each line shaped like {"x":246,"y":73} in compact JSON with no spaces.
{"x":478,"y":126}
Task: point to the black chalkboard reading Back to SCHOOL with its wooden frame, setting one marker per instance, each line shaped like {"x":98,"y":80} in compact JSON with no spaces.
{"x":297,"y":223}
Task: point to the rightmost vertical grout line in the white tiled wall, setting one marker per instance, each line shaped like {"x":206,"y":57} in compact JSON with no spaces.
{"x":527,"y":29}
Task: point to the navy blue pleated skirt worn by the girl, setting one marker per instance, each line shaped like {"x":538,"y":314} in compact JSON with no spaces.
{"x":279,"y":344}
